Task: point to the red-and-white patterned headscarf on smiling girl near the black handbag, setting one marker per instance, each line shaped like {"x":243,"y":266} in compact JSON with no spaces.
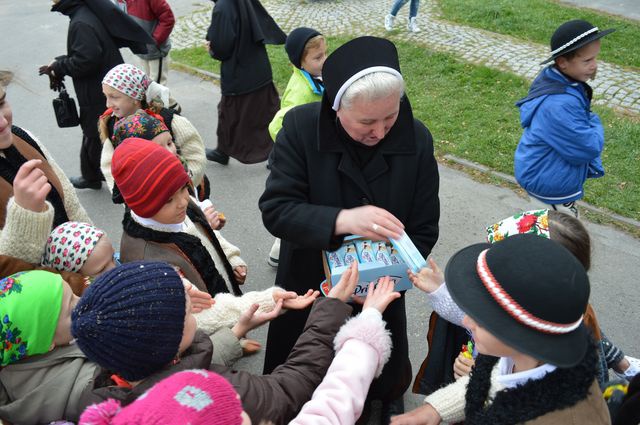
{"x":133,"y":82}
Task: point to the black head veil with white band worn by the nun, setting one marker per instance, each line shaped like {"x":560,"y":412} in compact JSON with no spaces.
{"x":355,"y":59}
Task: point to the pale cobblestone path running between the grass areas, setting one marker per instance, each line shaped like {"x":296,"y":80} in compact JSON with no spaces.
{"x":615,"y":86}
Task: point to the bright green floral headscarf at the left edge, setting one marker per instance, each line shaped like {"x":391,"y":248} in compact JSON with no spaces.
{"x":30,"y":304}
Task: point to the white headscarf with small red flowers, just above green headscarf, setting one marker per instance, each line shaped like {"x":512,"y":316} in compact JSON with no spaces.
{"x":69,"y":246}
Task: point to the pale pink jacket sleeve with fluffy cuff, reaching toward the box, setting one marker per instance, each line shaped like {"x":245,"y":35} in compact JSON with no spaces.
{"x":363,"y":346}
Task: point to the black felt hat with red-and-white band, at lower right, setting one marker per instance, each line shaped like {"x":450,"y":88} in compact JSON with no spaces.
{"x":528,"y":291}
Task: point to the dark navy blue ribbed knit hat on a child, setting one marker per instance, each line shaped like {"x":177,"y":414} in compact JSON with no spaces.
{"x":131,"y":319}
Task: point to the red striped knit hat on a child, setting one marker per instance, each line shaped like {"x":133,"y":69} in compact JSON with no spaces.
{"x":147,"y":175}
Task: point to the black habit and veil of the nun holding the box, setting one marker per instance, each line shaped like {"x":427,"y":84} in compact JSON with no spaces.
{"x":315,"y":174}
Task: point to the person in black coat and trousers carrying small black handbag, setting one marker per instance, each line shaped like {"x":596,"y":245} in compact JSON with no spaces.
{"x":91,"y":52}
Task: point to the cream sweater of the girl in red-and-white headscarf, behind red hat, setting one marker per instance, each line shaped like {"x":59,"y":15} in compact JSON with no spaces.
{"x":186,"y":138}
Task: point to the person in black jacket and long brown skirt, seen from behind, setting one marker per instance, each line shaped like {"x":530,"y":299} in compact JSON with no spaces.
{"x":237,"y":36}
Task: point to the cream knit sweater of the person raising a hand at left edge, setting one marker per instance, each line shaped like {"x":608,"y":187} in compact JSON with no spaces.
{"x":25,"y":232}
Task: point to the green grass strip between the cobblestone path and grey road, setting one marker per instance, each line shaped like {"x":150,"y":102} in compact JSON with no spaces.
{"x":470,"y":112}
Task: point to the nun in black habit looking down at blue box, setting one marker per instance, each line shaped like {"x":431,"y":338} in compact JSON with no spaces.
{"x":357,"y":162}
